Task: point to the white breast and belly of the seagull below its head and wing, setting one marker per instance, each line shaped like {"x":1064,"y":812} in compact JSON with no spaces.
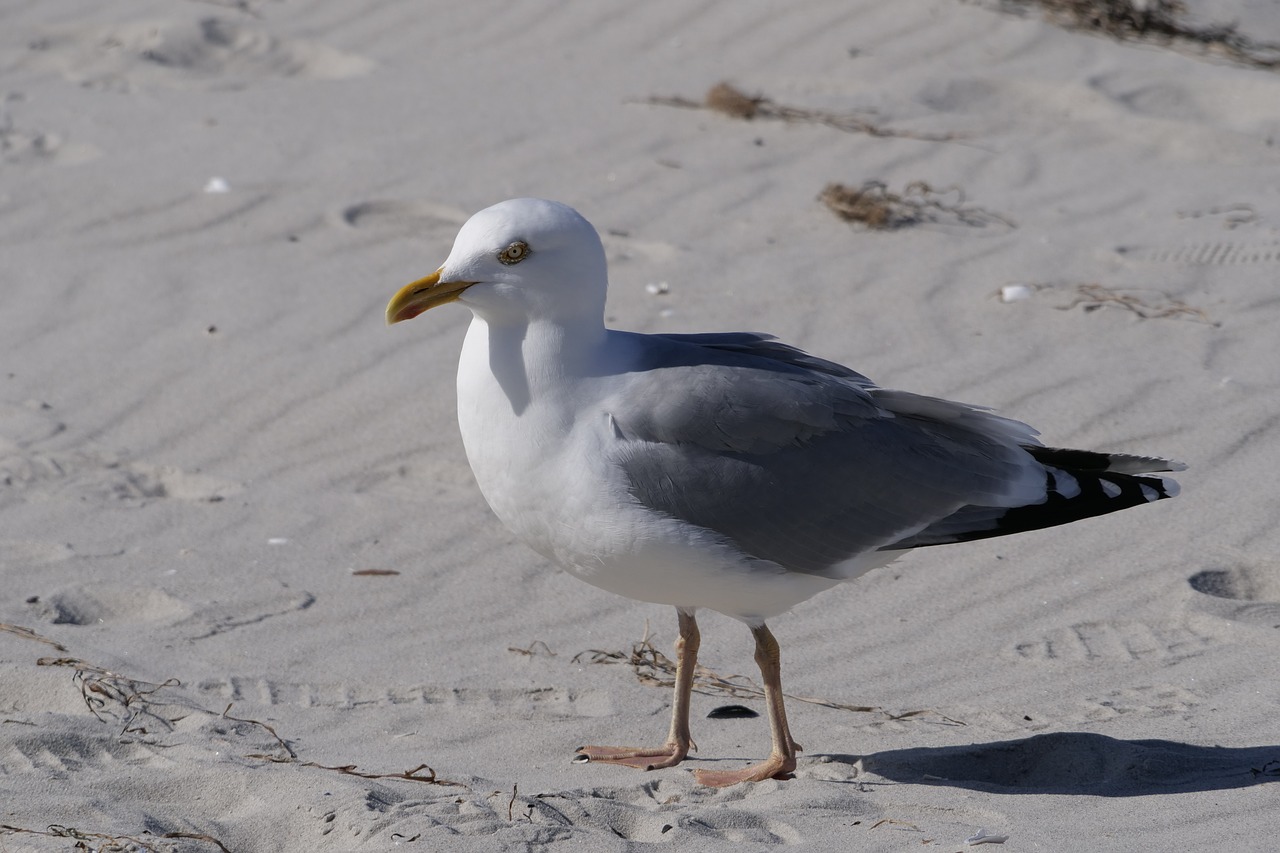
{"x":541,"y":455}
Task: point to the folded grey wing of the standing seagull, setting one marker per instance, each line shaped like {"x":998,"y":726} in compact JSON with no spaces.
{"x":802,"y":462}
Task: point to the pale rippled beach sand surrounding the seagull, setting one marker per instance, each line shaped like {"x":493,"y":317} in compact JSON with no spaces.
{"x":253,"y":600}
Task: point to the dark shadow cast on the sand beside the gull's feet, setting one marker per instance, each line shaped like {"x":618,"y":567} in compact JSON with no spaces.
{"x":1077,"y":763}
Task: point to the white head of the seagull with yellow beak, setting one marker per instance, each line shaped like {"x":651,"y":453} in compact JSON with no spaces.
{"x":519,"y":262}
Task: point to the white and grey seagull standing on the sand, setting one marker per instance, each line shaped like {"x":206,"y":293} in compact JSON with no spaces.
{"x":726,"y":472}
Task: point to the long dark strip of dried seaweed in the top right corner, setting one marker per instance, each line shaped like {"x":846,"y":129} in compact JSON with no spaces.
{"x":1155,"y":21}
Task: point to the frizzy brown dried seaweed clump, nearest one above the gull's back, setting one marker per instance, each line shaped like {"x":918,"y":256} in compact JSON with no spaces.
{"x":877,"y":208}
